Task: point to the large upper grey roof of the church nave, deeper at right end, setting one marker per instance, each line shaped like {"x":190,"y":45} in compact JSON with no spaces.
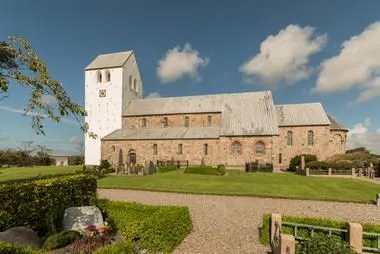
{"x":250,"y":113}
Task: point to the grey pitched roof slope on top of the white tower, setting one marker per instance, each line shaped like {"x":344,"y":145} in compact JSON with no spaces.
{"x":109,"y":60}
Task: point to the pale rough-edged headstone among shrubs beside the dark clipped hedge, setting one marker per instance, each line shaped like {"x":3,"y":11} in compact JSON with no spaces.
{"x":78,"y":218}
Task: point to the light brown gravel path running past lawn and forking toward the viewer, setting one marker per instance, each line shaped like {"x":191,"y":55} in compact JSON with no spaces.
{"x":226,"y":224}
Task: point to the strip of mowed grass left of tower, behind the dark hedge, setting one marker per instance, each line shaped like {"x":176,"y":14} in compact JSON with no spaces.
{"x":17,"y":173}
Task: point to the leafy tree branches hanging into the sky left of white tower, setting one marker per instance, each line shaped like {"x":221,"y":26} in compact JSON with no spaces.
{"x":20,"y":63}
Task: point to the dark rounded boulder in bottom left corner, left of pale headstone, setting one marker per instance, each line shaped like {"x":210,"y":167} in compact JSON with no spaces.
{"x":21,"y":236}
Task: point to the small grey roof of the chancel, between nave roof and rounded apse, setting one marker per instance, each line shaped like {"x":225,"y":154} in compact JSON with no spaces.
{"x":301,"y":114}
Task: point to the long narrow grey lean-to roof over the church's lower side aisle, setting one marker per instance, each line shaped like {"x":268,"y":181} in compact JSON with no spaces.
{"x":164,"y":133}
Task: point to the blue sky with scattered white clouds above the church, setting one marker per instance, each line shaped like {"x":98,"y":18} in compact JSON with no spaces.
{"x":224,"y":45}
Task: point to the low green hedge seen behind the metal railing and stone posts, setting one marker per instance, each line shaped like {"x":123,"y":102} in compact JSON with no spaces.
{"x":265,"y":230}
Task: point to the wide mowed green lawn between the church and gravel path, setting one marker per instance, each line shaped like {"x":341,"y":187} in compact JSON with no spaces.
{"x":285,"y":185}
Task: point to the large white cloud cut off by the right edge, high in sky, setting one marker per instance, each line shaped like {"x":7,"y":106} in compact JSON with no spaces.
{"x":356,"y":66}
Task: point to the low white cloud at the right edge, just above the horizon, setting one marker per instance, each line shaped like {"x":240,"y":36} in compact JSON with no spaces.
{"x":361,"y":136}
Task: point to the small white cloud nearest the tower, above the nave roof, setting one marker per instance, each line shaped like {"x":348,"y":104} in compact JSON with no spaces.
{"x":178,"y":63}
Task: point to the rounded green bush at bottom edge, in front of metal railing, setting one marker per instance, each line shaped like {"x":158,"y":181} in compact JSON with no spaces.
{"x":323,"y":245}
